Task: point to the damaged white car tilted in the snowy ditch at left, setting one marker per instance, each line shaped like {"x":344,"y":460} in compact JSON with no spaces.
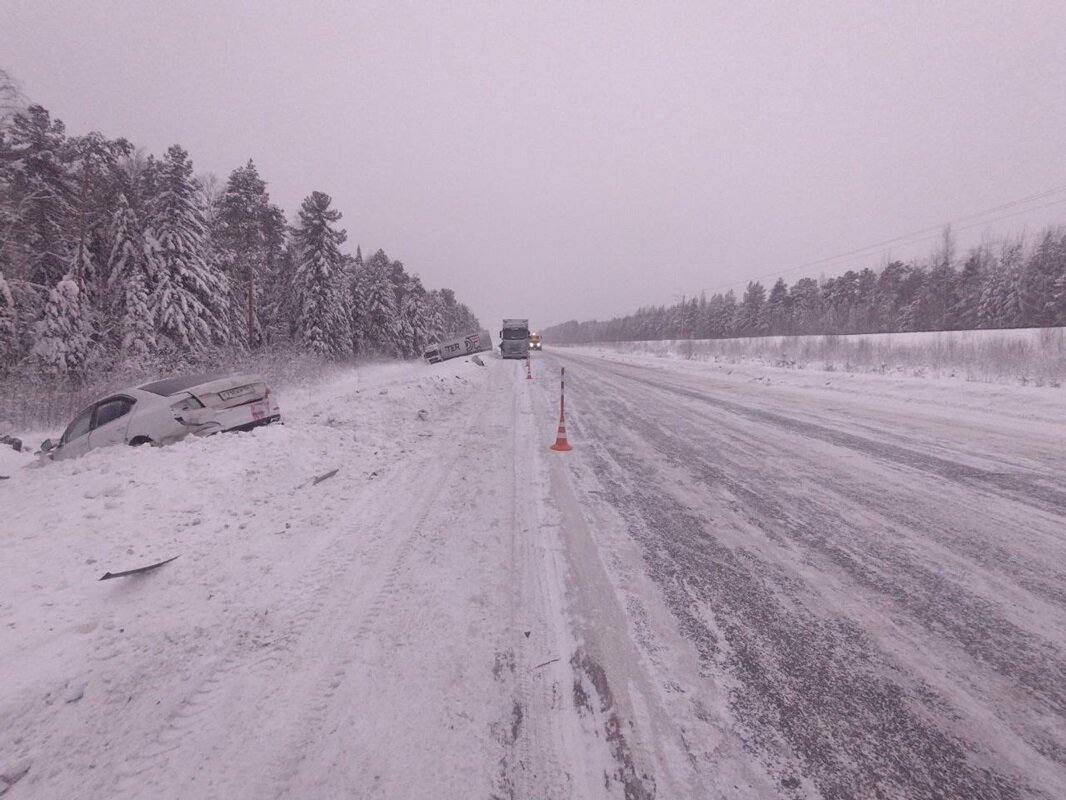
{"x":167,"y":411}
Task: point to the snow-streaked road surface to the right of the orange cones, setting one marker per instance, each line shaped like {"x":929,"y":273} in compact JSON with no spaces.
{"x":871,"y":571}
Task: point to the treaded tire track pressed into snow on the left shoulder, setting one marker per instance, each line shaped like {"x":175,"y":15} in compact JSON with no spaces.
{"x":163,"y":765}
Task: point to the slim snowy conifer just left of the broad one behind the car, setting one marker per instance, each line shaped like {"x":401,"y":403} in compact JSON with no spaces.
{"x":130,"y":286}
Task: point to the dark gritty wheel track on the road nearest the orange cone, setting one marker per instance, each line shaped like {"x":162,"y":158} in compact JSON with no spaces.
{"x":816,"y":686}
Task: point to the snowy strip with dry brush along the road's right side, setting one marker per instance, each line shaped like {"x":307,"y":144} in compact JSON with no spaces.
{"x":1033,"y":357}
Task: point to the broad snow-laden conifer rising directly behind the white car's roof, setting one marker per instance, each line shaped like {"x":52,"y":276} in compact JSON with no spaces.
{"x":190,"y":300}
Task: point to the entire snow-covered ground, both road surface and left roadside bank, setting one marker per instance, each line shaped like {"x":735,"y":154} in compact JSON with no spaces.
{"x":742,"y":583}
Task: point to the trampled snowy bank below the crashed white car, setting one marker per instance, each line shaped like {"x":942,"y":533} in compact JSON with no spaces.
{"x":100,"y":678}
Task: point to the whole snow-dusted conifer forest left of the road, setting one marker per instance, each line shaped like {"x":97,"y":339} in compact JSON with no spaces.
{"x":111,"y":259}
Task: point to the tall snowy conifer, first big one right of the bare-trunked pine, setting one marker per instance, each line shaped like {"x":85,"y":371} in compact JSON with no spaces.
{"x":321,"y":315}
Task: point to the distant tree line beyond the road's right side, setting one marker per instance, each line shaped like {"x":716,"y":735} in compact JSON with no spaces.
{"x":1014,"y":284}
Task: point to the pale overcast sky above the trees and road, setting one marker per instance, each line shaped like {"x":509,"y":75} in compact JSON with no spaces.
{"x":580,"y":159}
